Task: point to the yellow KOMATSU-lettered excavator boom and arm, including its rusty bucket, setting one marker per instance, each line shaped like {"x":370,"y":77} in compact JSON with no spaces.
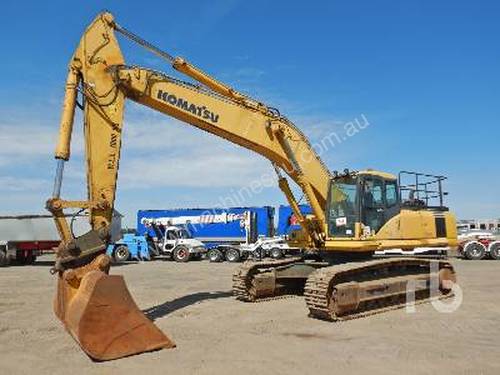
{"x":96,"y":308}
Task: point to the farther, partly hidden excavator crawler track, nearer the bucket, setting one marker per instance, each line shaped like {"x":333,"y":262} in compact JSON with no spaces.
{"x":244,"y":282}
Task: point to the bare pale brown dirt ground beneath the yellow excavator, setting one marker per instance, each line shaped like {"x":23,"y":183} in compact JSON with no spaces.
{"x":216,"y":334}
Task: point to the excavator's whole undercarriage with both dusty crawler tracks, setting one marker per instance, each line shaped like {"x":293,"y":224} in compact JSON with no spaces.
{"x":345,"y":290}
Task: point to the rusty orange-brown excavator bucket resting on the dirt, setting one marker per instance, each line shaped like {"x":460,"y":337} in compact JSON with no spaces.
{"x":99,"y":312}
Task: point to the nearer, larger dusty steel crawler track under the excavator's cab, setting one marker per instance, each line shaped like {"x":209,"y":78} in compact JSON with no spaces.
{"x":354,"y":290}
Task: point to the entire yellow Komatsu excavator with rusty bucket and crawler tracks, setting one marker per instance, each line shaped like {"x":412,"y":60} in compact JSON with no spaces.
{"x":353,"y":213}
